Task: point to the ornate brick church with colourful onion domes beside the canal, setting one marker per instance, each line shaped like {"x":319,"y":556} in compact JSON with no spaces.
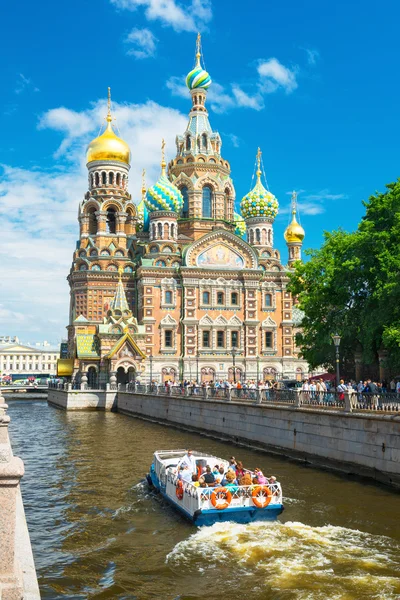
{"x":169,"y":289}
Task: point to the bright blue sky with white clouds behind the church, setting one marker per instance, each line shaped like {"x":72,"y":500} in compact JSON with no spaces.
{"x":314,"y":84}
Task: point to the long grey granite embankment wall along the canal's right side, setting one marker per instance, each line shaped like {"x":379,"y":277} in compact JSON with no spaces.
{"x":356,"y":443}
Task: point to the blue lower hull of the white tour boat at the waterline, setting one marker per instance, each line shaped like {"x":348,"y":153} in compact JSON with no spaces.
{"x":210,"y":516}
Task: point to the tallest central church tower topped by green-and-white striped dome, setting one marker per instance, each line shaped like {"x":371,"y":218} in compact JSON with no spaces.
{"x":198,"y":170}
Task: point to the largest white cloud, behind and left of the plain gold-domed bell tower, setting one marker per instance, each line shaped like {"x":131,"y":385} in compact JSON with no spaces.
{"x":40,"y":208}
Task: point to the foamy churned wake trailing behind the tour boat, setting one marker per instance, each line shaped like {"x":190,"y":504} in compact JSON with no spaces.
{"x":293,"y":561}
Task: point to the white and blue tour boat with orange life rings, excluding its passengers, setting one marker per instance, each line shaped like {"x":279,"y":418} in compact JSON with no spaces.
{"x":206,"y":506}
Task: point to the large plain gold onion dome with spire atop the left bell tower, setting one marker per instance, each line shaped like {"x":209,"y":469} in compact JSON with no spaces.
{"x":108,"y":146}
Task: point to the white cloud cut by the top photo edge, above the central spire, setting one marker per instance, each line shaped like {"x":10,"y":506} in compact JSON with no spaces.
{"x":181,"y":16}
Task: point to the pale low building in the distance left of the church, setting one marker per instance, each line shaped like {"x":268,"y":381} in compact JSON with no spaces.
{"x":19,"y":360}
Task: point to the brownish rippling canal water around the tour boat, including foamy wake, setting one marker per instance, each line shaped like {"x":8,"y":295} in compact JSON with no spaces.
{"x":98,"y":533}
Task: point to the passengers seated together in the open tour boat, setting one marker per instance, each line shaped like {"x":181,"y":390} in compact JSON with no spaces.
{"x":229,"y":476}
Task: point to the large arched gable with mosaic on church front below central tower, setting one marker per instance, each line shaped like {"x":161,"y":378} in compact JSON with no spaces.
{"x":221,"y":249}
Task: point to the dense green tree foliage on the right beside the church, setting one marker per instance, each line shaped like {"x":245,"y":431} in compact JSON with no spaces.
{"x":352,"y":285}
